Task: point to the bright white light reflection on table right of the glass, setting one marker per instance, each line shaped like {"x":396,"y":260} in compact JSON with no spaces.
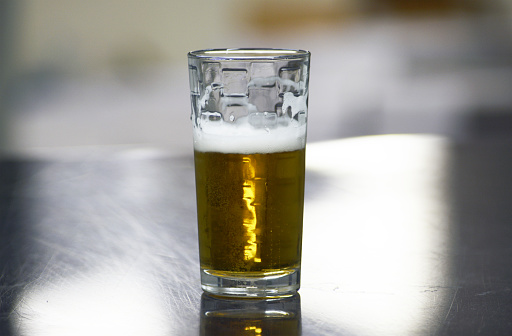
{"x":368,"y":236}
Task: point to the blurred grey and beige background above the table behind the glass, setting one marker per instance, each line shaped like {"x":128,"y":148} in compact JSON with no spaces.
{"x":82,"y":74}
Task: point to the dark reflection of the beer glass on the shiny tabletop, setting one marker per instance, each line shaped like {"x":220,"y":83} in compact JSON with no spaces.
{"x":249,"y":317}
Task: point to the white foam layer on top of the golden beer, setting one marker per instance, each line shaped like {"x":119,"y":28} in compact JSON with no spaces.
{"x":246,"y":139}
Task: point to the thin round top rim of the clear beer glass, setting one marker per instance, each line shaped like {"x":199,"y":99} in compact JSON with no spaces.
{"x":244,"y":54}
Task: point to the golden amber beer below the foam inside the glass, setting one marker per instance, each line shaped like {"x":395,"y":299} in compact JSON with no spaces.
{"x":250,"y":209}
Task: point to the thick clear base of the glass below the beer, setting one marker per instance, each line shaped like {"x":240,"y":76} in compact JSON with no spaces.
{"x":251,"y":285}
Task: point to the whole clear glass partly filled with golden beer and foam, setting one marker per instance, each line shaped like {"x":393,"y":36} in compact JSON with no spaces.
{"x":249,"y":116}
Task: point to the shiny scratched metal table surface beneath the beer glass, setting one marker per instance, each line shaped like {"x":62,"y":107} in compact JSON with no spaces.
{"x":403,"y":235}
